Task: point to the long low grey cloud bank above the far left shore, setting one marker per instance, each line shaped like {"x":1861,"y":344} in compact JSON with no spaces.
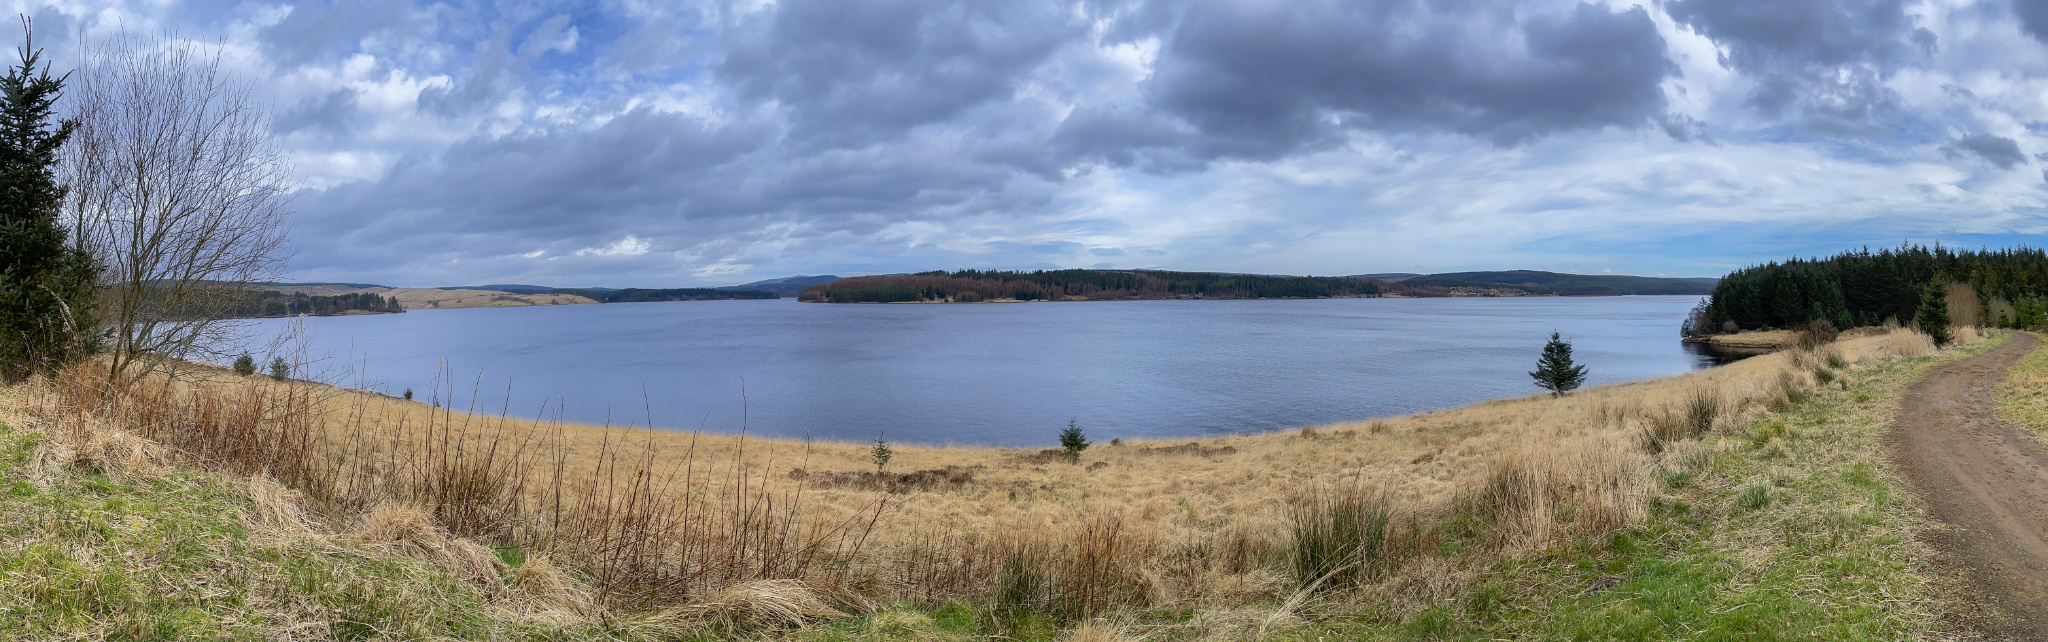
{"x":689,"y":188}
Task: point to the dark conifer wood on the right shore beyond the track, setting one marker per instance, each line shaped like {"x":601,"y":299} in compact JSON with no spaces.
{"x":1994,"y":288}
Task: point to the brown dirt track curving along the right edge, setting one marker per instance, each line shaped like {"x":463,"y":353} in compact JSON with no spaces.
{"x":1986,"y":477}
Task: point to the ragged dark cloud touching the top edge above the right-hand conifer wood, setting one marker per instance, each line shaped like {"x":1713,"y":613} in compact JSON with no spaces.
{"x":1824,"y":58}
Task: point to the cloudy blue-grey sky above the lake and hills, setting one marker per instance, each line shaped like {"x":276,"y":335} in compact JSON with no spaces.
{"x":681,"y":143}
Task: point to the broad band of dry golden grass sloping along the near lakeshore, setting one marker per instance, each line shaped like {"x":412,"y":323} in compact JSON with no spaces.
{"x":1142,"y":524}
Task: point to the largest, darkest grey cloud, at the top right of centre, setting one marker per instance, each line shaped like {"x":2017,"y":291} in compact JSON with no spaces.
{"x":1265,"y":81}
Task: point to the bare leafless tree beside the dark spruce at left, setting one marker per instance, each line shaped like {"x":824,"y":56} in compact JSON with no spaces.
{"x":179,"y":190}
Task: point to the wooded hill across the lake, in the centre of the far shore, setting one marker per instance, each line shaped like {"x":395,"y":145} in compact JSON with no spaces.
{"x":1097,"y":284}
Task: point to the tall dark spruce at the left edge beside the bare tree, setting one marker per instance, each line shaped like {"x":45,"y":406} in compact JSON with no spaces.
{"x":46,"y":284}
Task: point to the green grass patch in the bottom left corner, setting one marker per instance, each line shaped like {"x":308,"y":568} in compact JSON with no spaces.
{"x":169,"y":559}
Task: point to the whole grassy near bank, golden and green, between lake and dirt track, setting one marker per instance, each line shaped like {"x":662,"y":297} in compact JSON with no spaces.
{"x":1740,"y":501}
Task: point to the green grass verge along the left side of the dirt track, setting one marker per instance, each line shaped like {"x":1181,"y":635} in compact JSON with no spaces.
{"x":1791,"y":528}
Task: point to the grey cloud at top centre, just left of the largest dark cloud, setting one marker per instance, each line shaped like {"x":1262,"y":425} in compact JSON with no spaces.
{"x":851,"y":73}
